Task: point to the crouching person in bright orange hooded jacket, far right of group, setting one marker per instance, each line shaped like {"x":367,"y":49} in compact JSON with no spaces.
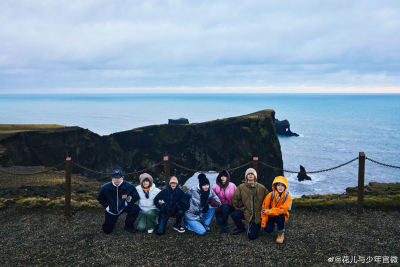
{"x":275,"y":208}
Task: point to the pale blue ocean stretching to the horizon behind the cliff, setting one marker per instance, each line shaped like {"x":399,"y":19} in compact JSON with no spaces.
{"x":333,"y":128}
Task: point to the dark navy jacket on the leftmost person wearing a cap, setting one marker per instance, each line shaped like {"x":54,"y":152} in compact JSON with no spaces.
{"x":111,"y":196}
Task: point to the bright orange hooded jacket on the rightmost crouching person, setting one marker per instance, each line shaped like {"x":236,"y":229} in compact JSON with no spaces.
{"x":276,"y":208}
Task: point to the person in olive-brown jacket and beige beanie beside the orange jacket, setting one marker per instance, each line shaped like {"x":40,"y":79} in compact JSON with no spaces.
{"x":252,"y":195}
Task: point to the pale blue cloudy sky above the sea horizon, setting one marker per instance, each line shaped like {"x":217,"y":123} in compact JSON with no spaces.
{"x":161,"y":46}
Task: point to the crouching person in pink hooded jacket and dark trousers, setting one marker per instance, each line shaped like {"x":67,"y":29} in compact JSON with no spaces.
{"x":224,"y":190}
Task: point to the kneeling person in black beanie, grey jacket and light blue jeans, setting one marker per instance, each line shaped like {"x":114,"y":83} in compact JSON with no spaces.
{"x":200,"y":207}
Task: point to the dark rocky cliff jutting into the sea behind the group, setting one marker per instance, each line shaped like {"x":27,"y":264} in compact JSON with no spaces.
{"x":213,"y":145}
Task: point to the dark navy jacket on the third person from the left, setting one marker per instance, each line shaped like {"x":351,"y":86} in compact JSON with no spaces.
{"x":174,"y":200}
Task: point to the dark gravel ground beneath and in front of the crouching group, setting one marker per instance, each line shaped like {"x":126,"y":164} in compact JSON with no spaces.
{"x":38,"y":237}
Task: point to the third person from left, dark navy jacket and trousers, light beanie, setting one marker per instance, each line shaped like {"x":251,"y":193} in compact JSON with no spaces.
{"x":172,"y":202}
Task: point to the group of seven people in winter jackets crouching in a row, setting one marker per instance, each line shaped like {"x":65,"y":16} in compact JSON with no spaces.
{"x":250,"y":201}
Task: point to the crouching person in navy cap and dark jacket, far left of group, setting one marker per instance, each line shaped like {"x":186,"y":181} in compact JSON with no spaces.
{"x":118,"y":197}
